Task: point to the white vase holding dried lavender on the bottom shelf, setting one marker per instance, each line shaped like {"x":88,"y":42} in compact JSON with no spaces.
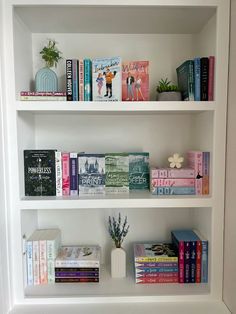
{"x":118,"y":232}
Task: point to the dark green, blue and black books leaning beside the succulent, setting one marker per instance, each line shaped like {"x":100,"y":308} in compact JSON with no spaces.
{"x":196,"y":79}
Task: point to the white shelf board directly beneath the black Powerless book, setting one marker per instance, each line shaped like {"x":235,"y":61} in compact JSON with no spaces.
{"x":131,"y":200}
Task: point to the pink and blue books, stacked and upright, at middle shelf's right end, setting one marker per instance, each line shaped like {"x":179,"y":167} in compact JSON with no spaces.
{"x":183,"y":181}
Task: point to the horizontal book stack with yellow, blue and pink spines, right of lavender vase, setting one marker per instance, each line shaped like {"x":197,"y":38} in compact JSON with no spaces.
{"x":156,"y":263}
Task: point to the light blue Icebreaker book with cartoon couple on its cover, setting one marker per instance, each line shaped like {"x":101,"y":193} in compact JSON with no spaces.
{"x":106,"y":74}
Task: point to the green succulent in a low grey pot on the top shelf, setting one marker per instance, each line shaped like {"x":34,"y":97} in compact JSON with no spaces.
{"x":167,"y":91}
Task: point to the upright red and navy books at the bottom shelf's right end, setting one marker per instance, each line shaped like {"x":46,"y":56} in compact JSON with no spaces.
{"x":193,"y":256}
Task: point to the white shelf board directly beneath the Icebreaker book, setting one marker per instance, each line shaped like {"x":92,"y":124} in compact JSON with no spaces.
{"x":150,"y":107}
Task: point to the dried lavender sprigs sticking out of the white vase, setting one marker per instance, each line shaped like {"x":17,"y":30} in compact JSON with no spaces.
{"x":118,"y":230}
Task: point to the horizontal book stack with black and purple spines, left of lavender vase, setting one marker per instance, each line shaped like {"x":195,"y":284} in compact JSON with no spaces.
{"x":77,"y":264}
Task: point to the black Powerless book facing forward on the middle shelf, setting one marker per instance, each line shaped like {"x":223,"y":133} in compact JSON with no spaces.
{"x":39,"y":168}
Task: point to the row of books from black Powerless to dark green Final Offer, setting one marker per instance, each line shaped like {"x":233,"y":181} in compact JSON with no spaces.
{"x":49,"y":172}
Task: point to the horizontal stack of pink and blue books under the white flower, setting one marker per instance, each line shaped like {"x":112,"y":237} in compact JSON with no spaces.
{"x":171,"y":181}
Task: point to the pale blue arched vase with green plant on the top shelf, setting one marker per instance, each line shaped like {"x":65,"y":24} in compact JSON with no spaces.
{"x":46,"y":79}
